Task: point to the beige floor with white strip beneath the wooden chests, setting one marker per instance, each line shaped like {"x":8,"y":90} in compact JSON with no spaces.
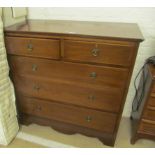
{"x":35,"y":136}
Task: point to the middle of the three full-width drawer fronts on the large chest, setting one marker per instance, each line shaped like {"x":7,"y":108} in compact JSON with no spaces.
{"x":103,"y":98}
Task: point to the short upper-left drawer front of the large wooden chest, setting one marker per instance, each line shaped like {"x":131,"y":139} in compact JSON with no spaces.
{"x":45,"y":48}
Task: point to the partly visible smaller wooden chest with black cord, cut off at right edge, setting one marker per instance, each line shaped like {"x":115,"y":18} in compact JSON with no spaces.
{"x":143,"y":120}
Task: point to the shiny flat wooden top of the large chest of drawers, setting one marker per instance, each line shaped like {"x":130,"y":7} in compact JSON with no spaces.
{"x":129,"y":31}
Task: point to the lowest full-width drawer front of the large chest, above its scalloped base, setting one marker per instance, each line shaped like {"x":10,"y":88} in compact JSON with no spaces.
{"x":93,"y":119}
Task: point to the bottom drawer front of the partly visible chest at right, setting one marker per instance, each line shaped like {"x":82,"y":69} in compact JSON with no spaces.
{"x":148,"y":127}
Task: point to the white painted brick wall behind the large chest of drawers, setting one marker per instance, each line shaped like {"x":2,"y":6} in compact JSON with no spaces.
{"x":145,"y":17}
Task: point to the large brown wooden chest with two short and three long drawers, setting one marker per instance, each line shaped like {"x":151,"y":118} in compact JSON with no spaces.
{"x":73,"y":76}
